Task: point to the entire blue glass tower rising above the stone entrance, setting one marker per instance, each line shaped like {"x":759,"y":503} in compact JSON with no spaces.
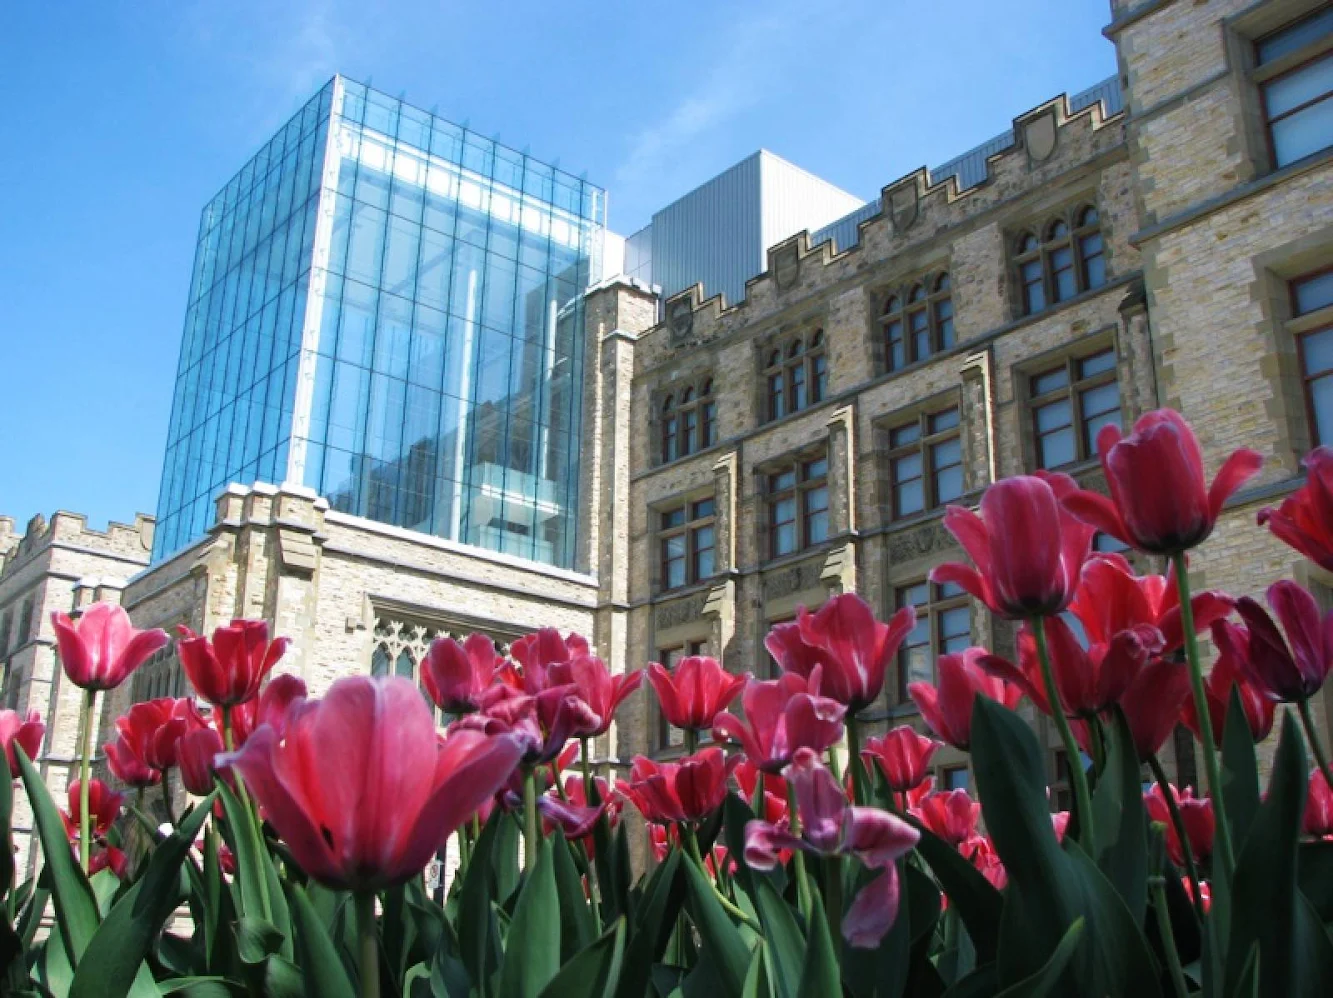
{"x":389,"y":308}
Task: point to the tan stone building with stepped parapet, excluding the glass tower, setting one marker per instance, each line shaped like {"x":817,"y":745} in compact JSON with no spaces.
{"x":1164,"y":239}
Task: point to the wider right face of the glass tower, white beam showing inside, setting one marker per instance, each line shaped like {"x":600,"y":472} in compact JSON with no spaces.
{"x":449,"y":383}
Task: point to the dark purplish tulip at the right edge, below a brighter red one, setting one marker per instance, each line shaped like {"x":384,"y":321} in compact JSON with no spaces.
{"x":1284,"y":671}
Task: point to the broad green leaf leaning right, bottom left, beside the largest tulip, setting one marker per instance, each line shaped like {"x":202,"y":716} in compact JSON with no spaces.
{"x":113,"y":965}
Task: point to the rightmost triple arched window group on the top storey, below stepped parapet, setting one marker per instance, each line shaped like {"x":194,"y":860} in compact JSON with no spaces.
{"x":1068,"y":260}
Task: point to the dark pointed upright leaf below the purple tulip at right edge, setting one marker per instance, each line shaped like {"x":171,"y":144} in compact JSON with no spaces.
{"x":1264,"y":897}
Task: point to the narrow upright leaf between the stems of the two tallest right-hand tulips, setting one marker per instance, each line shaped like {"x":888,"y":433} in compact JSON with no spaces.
{"x":1122,"y":821}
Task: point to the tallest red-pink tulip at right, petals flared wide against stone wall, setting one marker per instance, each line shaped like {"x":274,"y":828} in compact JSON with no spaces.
{"x":1160,"y":502}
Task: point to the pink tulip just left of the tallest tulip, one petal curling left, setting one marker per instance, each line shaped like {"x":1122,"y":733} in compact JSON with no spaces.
{"x":1027,"y":548}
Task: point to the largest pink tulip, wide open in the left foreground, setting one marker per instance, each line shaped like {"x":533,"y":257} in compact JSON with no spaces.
{"x":351,"y":785}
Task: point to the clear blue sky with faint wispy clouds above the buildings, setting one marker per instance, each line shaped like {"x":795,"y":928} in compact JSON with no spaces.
{"x":123,"y":119}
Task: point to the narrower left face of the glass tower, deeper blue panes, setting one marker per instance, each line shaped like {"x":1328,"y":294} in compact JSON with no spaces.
{"x":235,"y":383}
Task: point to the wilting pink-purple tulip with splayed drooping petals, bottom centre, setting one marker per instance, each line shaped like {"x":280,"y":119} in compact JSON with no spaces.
{"x":831,"y":827}
